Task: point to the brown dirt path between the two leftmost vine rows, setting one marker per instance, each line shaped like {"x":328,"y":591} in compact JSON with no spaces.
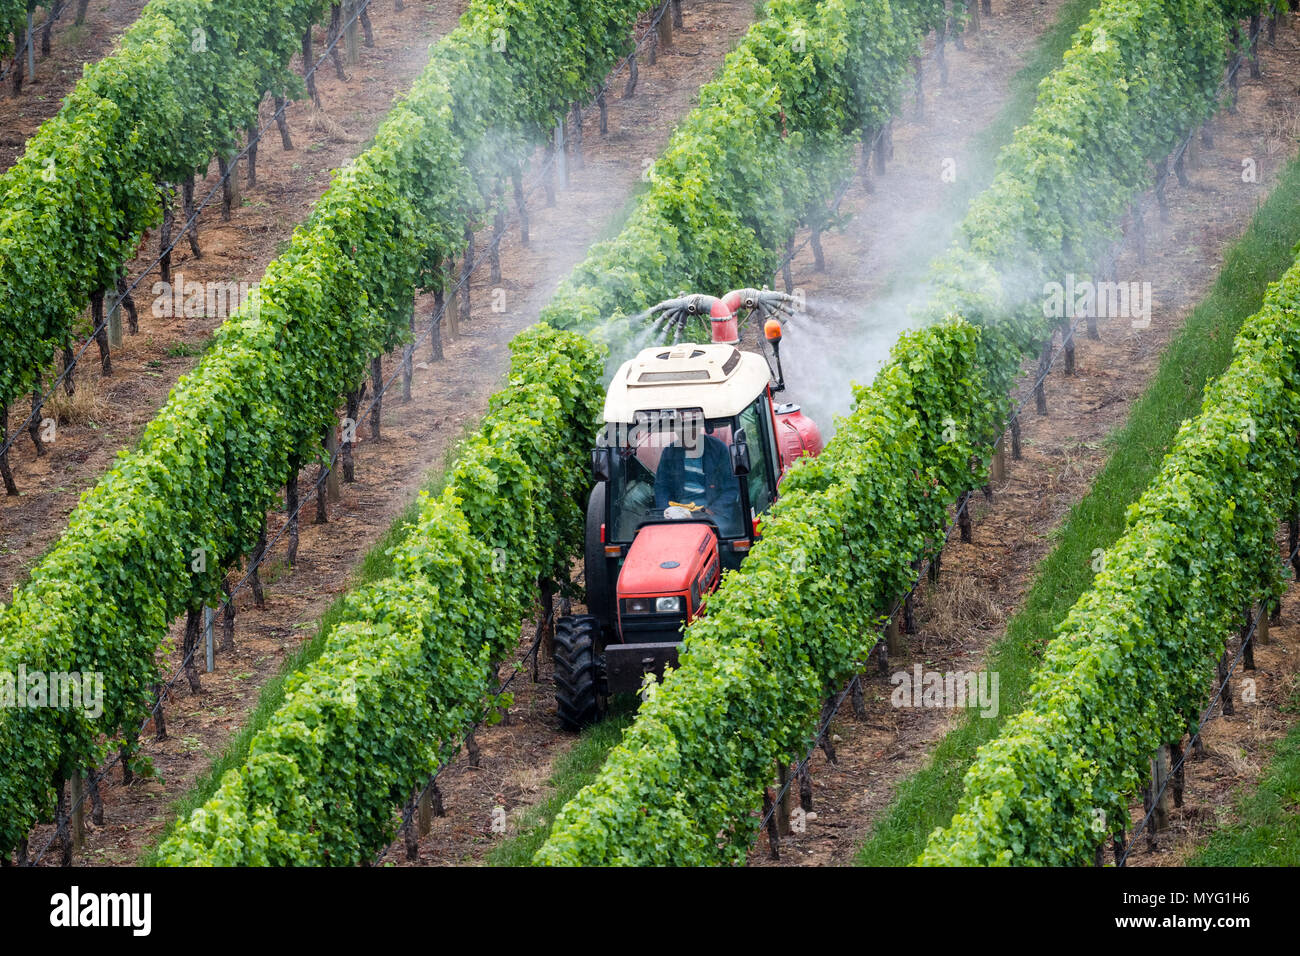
{"x":110,"y":414}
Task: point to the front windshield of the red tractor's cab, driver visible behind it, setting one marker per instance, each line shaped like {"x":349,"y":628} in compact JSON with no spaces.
{"x":675,"y":465}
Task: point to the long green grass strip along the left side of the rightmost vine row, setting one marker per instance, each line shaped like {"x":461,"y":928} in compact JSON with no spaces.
{"x":1201,"y":353}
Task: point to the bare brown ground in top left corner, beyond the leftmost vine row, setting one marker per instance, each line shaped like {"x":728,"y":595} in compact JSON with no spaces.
{"x":57,"y":75}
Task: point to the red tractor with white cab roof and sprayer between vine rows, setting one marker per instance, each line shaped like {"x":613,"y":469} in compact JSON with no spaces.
{"x":694,"y":453}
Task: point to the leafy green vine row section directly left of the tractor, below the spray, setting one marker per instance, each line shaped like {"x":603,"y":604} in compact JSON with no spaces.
{"x":408,"y":672}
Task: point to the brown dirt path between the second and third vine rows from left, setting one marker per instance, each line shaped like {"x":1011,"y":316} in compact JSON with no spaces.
{"x":447,"y":399}
